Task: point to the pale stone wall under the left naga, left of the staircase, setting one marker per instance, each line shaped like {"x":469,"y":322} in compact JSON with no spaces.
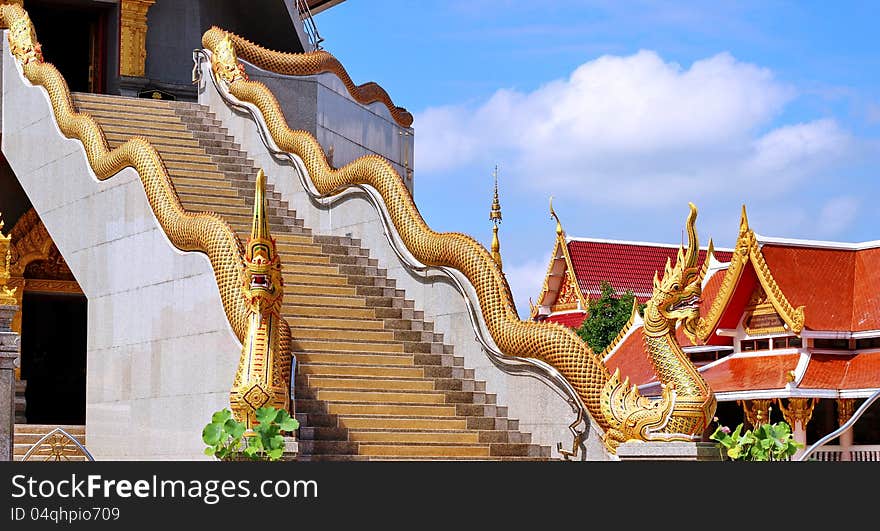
{"x":161,"y":354}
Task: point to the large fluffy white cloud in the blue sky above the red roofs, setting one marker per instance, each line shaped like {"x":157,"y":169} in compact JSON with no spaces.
{"x":636,"y":131}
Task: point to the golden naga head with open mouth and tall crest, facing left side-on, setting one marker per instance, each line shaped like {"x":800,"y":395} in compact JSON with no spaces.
{"x":677,"y":295}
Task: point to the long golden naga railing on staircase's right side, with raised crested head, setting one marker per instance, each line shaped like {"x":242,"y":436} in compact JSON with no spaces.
{"x":620,"y":412}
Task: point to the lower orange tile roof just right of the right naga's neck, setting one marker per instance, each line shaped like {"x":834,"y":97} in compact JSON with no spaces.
{"x":750,"y":373}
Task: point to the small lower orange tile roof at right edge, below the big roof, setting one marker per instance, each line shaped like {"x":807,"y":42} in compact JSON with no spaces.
{"x":842,"y":371}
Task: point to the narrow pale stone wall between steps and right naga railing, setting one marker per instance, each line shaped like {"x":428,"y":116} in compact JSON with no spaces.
{"x":539,"y":409}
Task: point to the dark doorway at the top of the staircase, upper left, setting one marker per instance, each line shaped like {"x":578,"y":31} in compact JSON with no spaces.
{"x":72,"y":39}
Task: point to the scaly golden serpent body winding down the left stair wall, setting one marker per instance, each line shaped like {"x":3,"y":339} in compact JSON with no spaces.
{"x":203,"y":232}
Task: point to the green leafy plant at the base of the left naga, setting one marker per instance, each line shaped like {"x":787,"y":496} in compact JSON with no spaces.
{"x":227,"y":439}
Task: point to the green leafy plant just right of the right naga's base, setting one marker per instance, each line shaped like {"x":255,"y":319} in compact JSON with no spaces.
{"x":768,"y":442}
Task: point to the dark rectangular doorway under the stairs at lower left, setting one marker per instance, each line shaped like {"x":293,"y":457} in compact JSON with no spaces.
{"x":53,"y":358}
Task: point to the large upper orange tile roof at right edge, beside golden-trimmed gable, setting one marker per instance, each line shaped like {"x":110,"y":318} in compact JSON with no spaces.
{"x":839,"y":287}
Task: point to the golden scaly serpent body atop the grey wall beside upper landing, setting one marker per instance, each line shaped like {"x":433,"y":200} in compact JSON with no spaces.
{"x":305,"y":64}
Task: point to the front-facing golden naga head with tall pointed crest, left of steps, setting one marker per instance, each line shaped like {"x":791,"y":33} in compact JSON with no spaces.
{"x":263,"y":285}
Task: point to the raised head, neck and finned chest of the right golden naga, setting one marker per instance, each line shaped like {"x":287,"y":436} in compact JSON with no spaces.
{"x":687,"y":404}
